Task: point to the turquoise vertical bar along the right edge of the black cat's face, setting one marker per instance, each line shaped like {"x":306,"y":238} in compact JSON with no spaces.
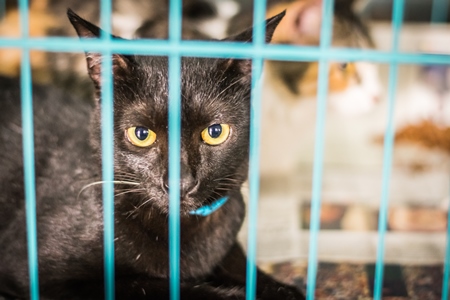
{"x":255,"y":123}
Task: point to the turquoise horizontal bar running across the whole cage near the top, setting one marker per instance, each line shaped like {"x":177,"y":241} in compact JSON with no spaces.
{"x":223,"y":50}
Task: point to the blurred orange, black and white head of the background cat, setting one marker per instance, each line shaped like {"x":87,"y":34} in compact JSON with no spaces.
{"x":354,"y":86}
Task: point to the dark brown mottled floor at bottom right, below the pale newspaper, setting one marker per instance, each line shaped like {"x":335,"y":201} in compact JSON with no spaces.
{"x":355,"y":281}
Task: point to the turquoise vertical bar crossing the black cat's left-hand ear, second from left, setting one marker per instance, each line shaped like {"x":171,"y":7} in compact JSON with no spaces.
{"x":107,"y":124}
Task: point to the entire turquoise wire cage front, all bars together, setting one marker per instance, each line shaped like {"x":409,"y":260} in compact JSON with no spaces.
{"x":175,"y":48}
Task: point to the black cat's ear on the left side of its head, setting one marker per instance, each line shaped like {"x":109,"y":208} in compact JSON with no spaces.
{"x":121,"y":63}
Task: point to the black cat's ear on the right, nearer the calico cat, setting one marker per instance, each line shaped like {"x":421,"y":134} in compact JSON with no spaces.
{"x":243,"y":66}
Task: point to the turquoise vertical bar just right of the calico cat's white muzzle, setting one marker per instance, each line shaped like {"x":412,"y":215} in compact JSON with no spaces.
{"x":397,"y":17}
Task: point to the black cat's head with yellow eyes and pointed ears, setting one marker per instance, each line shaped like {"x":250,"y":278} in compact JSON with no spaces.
{"x":215,"y":103}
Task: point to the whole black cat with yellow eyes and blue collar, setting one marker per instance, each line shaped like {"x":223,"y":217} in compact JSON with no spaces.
{"x":214,"y":162}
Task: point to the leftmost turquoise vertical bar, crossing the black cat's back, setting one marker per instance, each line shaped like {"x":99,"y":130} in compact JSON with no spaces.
{"x":28,"y":155}
